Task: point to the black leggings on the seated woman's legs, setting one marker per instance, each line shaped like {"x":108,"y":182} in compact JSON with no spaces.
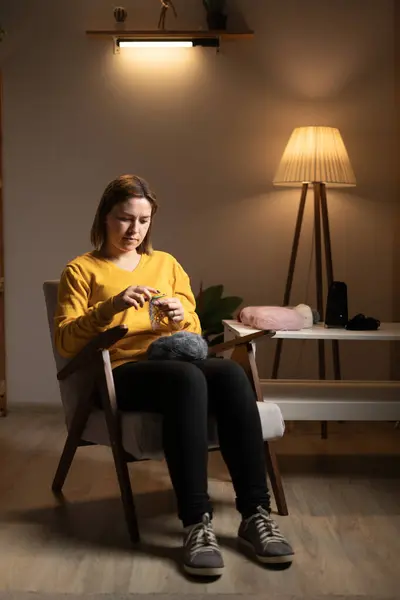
{"x":185,"y":393}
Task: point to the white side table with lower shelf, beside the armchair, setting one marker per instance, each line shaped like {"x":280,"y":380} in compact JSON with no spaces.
{"x":330,"y":400}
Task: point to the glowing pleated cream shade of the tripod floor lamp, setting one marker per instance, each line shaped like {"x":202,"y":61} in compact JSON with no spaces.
{"x":315,"y":154}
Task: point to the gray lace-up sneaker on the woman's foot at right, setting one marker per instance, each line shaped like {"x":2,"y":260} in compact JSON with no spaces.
{"x":261,"y":534}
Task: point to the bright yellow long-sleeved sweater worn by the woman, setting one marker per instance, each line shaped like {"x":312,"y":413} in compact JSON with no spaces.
{"x":87,"y":287}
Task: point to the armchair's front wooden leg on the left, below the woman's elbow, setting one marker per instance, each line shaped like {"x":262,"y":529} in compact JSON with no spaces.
{"x":107,"y":391}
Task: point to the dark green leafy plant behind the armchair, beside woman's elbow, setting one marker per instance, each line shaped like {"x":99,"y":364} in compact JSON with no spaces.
{"x":212,"y":308}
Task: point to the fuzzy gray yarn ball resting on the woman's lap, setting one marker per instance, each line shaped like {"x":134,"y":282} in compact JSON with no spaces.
{"x":182,"y":345}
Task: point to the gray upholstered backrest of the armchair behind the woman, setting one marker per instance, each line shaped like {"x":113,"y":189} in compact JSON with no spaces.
{"x":77,"y":385}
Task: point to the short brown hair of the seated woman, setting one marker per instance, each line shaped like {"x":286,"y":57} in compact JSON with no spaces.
{"x":120,"y":190}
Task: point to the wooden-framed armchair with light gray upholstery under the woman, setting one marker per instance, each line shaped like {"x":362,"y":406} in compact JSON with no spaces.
{"x":136,"y":436}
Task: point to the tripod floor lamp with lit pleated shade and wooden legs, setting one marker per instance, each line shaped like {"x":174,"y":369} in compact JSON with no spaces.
{"x":314,"y":157}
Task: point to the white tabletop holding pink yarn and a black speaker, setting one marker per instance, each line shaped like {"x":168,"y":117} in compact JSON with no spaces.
{"x":386,"y":332}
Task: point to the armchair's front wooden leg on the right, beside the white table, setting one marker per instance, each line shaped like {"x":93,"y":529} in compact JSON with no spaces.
{"x":244,"y":355}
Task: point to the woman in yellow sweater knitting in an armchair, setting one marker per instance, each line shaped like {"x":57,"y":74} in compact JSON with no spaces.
{"x":110,"y":286}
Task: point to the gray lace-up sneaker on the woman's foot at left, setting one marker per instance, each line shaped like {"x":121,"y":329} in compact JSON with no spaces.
{"x":201,"y":553}
